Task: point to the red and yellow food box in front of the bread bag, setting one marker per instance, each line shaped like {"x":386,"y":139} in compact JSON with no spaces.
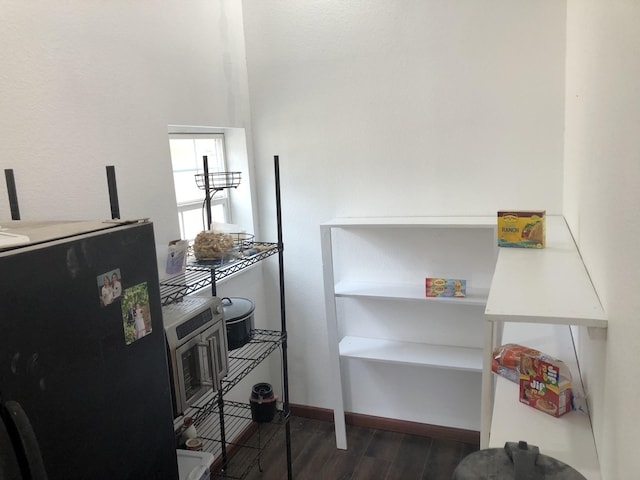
{"x":545,"y":384}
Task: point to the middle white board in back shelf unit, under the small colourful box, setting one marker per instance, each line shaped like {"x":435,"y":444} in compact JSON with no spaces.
{"x":406,"y":291}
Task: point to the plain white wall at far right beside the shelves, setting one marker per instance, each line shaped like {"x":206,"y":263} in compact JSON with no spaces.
{"x":602,"y":172}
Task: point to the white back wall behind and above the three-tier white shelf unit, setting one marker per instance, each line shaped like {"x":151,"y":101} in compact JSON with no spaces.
{"x":390,"y":107}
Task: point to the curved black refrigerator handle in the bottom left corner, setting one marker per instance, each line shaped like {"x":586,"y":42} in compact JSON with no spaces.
{"x":24,"y":440}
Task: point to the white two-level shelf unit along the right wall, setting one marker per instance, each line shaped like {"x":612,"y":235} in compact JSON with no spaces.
{"x":534,"y":299}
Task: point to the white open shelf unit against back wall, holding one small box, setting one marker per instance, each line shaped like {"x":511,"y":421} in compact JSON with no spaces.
{"x":383,"y":288}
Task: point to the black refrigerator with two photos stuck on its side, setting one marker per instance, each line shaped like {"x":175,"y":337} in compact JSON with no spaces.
{"x":84,"y":382}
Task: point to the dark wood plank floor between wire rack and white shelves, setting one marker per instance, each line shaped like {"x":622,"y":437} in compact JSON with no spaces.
{"x":372,"y":454}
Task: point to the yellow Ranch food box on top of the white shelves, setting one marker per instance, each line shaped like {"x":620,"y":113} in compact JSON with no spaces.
{"x":522,"y":229}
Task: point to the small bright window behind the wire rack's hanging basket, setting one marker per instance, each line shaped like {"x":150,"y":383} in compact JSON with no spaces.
{"x":187,"y":151}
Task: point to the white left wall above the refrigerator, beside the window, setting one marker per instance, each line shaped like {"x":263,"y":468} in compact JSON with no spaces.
{"x":90,"y":83}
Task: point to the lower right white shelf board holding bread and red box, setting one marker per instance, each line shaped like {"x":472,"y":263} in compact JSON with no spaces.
{"x":568,"y":438}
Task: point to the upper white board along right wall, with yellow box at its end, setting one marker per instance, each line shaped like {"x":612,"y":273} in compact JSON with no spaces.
{"x":549,"y":285}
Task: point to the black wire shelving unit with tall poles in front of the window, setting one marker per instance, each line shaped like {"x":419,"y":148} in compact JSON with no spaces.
{"x":226,"y":428}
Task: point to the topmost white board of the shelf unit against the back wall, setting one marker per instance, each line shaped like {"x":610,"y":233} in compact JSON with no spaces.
{"x":442,"y":222}
